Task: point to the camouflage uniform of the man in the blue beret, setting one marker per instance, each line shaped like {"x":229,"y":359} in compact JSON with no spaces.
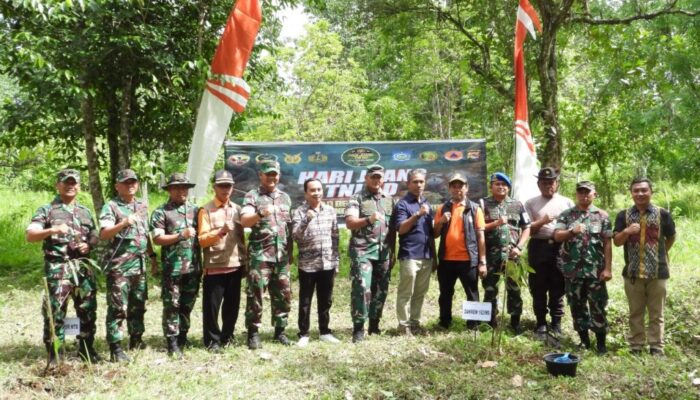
{"x":498,"y":244}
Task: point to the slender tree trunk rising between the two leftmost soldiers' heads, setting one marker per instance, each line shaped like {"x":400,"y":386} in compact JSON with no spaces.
{"x":91,"y":149}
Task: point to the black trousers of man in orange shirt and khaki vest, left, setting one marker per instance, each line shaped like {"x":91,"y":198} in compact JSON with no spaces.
{"x":218,"y":289}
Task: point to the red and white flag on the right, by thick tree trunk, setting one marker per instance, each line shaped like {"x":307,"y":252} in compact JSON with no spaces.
{"x":526,"y":164}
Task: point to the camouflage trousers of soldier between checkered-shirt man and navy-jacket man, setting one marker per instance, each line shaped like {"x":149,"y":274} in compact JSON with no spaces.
{"x":370,"y":286}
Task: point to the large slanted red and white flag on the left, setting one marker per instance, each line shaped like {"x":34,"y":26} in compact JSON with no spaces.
{"x":225,"y":93}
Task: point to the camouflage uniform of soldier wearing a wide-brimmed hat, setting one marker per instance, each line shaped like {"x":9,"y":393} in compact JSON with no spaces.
{"x":181,"y":271}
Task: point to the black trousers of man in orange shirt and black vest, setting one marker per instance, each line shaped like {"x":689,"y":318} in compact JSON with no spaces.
{"x":448,"y":273}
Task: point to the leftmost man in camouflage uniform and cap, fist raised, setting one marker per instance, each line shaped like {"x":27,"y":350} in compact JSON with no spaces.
{"x":67,"y":229}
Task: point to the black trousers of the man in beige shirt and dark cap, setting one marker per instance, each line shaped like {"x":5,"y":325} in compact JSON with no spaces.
{"x":547,"y":279}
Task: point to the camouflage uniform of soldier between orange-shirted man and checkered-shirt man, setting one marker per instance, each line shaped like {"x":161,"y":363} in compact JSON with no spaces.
{"x":269,"y":258}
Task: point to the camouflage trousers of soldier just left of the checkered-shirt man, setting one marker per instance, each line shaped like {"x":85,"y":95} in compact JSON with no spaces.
{"x":275,"y":277}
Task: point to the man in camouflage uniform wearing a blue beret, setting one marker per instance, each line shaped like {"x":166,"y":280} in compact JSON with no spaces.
{"x":507,"y":230}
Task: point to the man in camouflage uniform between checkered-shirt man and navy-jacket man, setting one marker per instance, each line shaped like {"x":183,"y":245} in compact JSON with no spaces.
{"x":368,"y":215}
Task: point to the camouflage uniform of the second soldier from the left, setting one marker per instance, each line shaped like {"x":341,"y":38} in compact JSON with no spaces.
{"x":125,"y":267}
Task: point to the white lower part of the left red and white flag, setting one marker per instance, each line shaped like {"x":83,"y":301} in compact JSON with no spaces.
{"x":213,"y":120}
